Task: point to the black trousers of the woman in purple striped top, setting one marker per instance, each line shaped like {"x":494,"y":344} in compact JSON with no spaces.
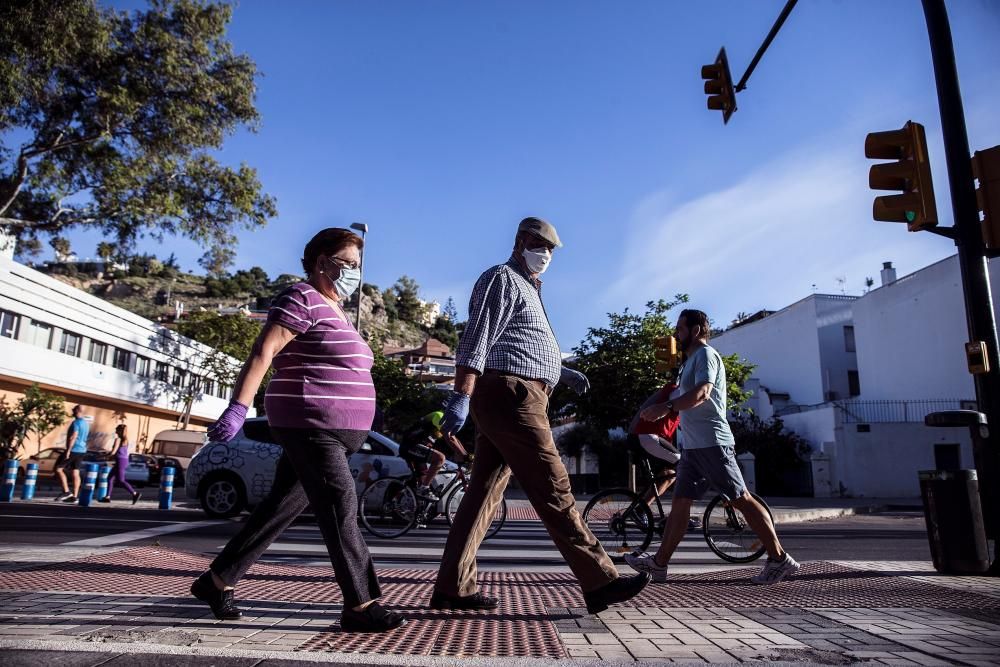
{"x":313,"y":470}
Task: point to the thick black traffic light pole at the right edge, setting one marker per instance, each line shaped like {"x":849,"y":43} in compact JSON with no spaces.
{"x":972,"y":257}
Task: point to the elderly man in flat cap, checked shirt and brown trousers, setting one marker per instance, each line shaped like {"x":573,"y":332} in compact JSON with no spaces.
{"x":508,"y":362}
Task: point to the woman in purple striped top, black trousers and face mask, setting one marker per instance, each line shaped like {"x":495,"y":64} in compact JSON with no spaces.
{"x":320,"y":404}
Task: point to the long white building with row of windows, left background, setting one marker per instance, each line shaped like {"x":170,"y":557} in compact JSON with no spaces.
{"x":122,"y":367}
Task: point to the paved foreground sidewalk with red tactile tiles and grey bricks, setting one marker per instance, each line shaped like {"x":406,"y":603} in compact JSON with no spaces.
{"x":134,"y":600}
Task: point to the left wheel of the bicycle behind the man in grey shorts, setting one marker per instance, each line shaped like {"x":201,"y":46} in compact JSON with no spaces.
{"x":620,"y":520}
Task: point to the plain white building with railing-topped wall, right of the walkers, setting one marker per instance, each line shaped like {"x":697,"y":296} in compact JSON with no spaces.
{"x":900,"y":352}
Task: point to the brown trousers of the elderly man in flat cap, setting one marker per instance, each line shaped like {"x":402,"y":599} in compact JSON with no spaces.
{"x":514,"y":436}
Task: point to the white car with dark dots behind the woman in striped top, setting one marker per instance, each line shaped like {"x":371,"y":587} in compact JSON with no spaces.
{"x":228,"y":477}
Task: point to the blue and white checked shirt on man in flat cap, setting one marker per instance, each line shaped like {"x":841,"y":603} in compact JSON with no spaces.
{"x":508,"y":329}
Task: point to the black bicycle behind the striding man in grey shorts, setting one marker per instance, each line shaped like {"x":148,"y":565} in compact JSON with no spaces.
{"x":624,"y":523}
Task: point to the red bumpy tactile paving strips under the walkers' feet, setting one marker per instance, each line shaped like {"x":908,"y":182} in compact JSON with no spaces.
{"x":520,"y":627}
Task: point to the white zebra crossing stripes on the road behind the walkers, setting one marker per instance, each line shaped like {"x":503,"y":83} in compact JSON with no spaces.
{"x":519,"y":546}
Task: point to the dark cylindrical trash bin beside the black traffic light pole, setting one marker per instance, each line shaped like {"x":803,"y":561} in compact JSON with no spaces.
{"x":954,"y":520}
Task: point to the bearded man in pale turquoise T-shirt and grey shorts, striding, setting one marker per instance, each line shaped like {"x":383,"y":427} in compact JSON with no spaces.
{"x":708,"y":457}
